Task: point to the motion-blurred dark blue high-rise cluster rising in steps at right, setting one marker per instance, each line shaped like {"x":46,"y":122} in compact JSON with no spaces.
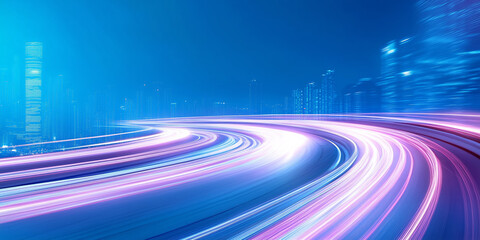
{"x":439,"y":69}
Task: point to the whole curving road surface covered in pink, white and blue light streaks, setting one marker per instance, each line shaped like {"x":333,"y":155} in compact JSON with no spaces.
{"x":263,"y":177}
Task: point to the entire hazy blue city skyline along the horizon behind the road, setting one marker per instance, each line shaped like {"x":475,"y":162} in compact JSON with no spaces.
{"x":438,"y":69}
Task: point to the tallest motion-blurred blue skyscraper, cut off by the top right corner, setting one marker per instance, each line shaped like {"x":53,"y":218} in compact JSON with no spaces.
{"x":450,"y":51}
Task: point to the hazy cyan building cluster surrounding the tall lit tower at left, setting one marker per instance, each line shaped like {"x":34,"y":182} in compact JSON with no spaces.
{"x":36,"y":106}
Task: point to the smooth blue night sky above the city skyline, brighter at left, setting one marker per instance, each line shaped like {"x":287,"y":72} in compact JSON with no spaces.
{"x":206,"y":49}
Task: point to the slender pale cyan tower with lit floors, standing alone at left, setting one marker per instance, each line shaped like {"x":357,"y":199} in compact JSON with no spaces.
{"x":33,"y":92}
